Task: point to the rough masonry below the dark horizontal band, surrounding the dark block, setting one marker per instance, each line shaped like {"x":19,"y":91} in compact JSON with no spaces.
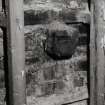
{"x":47,"y":78}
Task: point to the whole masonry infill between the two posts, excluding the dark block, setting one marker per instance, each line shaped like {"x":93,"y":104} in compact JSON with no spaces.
{"x":56,"y":81}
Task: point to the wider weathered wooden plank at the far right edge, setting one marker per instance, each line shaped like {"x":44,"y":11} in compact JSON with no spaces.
{"x":100,"y":41}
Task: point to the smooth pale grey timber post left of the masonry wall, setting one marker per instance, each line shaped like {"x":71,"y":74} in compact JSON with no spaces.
{"x":15,"y":80}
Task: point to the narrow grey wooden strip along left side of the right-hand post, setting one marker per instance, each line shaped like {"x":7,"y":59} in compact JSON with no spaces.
{"x":92,"y":57}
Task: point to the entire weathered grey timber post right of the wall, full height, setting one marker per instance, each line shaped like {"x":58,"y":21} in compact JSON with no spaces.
{"x":97,"y":53}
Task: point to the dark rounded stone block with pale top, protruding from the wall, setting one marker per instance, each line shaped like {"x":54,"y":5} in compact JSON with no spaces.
{"x":61,"y":40}
